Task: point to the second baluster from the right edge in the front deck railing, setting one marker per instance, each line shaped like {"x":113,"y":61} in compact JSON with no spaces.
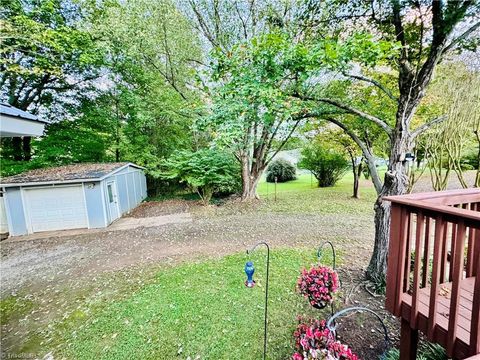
{"x":456,"y":290}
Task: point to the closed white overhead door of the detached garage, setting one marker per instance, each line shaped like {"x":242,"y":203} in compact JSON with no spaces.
{"x":55,"y":208}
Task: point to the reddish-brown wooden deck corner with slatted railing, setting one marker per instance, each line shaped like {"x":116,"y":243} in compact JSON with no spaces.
{"x":433,"y":277}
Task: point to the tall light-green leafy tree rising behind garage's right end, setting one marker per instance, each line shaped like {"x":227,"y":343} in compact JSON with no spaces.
{"x":152,"y":55}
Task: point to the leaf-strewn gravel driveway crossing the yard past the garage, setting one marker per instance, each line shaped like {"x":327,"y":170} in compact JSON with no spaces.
{"x":57,"y":260}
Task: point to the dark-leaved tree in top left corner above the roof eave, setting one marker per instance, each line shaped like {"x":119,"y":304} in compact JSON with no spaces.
{"x":46,"y":53}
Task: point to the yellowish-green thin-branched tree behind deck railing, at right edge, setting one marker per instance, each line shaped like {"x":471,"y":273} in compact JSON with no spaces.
{"x":455,"y":92}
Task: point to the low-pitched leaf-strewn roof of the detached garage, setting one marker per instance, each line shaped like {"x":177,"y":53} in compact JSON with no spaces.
{"x":65,"y":174}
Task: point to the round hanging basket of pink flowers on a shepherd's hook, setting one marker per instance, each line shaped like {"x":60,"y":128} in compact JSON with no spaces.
{"x":318,"y":285}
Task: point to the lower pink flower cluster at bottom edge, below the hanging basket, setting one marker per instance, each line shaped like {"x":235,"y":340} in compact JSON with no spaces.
{"x":313,"y":340}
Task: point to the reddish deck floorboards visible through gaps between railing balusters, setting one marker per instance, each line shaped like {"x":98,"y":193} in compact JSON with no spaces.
{"x":443,"y":311}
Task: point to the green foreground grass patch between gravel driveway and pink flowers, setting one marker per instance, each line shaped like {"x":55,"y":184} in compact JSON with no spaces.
{"x":196,"y":309}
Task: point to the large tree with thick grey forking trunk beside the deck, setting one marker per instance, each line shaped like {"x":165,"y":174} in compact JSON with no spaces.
{"x":426,"y":33}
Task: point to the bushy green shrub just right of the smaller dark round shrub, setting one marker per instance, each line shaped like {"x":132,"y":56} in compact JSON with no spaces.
{"x":327,"y":166}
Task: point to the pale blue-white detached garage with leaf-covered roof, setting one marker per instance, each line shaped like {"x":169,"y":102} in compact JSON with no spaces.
{"x":72,"y":197}
